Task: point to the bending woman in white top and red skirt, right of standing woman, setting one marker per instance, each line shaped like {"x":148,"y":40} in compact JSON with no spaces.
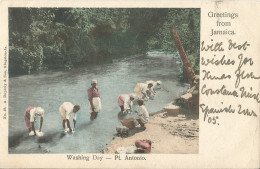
{"x":125,"y":102}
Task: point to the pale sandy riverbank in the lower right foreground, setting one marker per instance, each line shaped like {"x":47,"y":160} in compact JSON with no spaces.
{"x":169,"y":135}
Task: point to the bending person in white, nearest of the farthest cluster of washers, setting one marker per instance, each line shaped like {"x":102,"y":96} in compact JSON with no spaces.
{"x":143,"y":90}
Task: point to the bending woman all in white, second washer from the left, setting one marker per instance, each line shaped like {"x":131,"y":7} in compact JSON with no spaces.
{"x":66,"y":110}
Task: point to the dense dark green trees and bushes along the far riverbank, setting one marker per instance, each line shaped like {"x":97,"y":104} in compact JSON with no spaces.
{"x":50,"y":38}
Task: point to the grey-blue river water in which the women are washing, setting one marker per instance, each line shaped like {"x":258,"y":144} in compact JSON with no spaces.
{"x":50,"y":90}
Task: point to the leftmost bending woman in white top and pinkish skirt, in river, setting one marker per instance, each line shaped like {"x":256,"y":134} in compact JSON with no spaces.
{"x":30,"y":116}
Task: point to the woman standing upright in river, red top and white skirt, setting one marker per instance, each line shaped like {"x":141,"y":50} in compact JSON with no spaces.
{"x":94,"y":100}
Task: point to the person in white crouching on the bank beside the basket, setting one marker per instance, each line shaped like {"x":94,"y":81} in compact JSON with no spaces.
{"x":142,"y":114}
